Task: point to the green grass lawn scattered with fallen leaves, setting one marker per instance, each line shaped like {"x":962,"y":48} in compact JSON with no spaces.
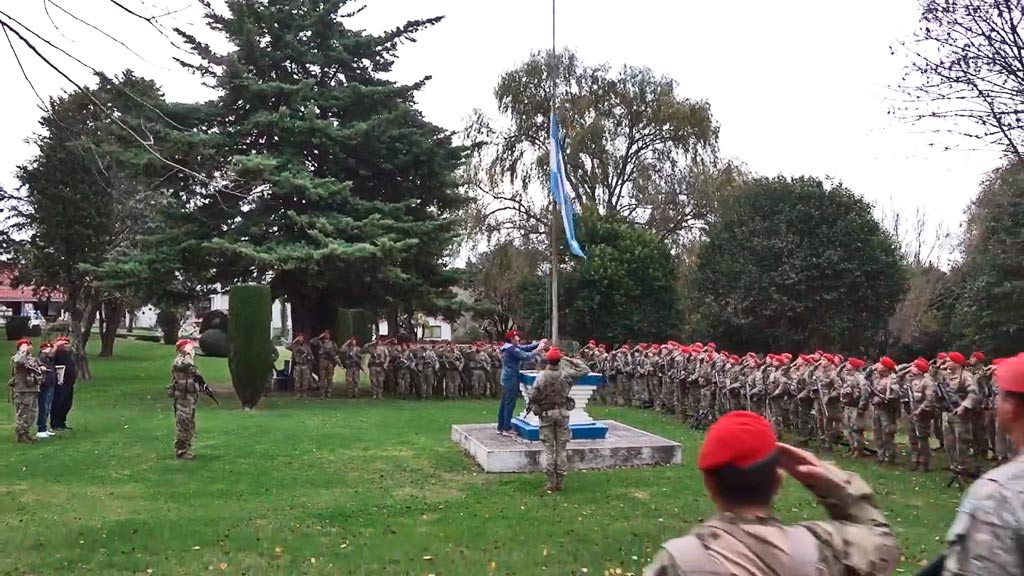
{"x":349,"y":487}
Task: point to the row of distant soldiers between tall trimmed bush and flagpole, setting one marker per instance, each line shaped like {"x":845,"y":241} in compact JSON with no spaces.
{"x":404,"y":371}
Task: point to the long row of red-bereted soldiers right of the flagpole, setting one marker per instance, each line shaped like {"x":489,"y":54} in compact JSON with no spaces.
{"x":820,"y":396}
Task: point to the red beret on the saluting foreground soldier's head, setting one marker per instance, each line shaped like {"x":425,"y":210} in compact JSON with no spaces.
{"x":741,"y":439}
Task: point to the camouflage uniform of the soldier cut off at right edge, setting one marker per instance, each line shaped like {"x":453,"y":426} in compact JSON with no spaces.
{"x":986,"y":537}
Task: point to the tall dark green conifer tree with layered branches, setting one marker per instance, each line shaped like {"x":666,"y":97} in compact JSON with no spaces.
{"x":333,"y":186}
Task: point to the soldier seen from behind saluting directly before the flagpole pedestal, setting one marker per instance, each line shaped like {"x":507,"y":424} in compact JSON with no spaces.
{"x":549,"y":401}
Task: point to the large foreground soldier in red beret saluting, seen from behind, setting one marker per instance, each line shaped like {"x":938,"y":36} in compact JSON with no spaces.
{"x":744,"y":468}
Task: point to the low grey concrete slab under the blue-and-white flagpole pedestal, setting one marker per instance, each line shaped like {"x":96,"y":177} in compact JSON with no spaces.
{"x":624,"y":446}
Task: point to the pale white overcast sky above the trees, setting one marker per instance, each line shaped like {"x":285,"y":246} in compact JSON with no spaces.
{"x":798,"y":87}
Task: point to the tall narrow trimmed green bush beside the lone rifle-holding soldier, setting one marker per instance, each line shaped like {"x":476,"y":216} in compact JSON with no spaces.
{"x":251,"y":360}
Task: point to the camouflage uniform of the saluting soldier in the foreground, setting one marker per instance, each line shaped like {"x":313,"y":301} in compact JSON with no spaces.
{"x":859,"y":542}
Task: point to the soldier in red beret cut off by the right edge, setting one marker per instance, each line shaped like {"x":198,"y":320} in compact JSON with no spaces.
{"x":986,"y":537}
